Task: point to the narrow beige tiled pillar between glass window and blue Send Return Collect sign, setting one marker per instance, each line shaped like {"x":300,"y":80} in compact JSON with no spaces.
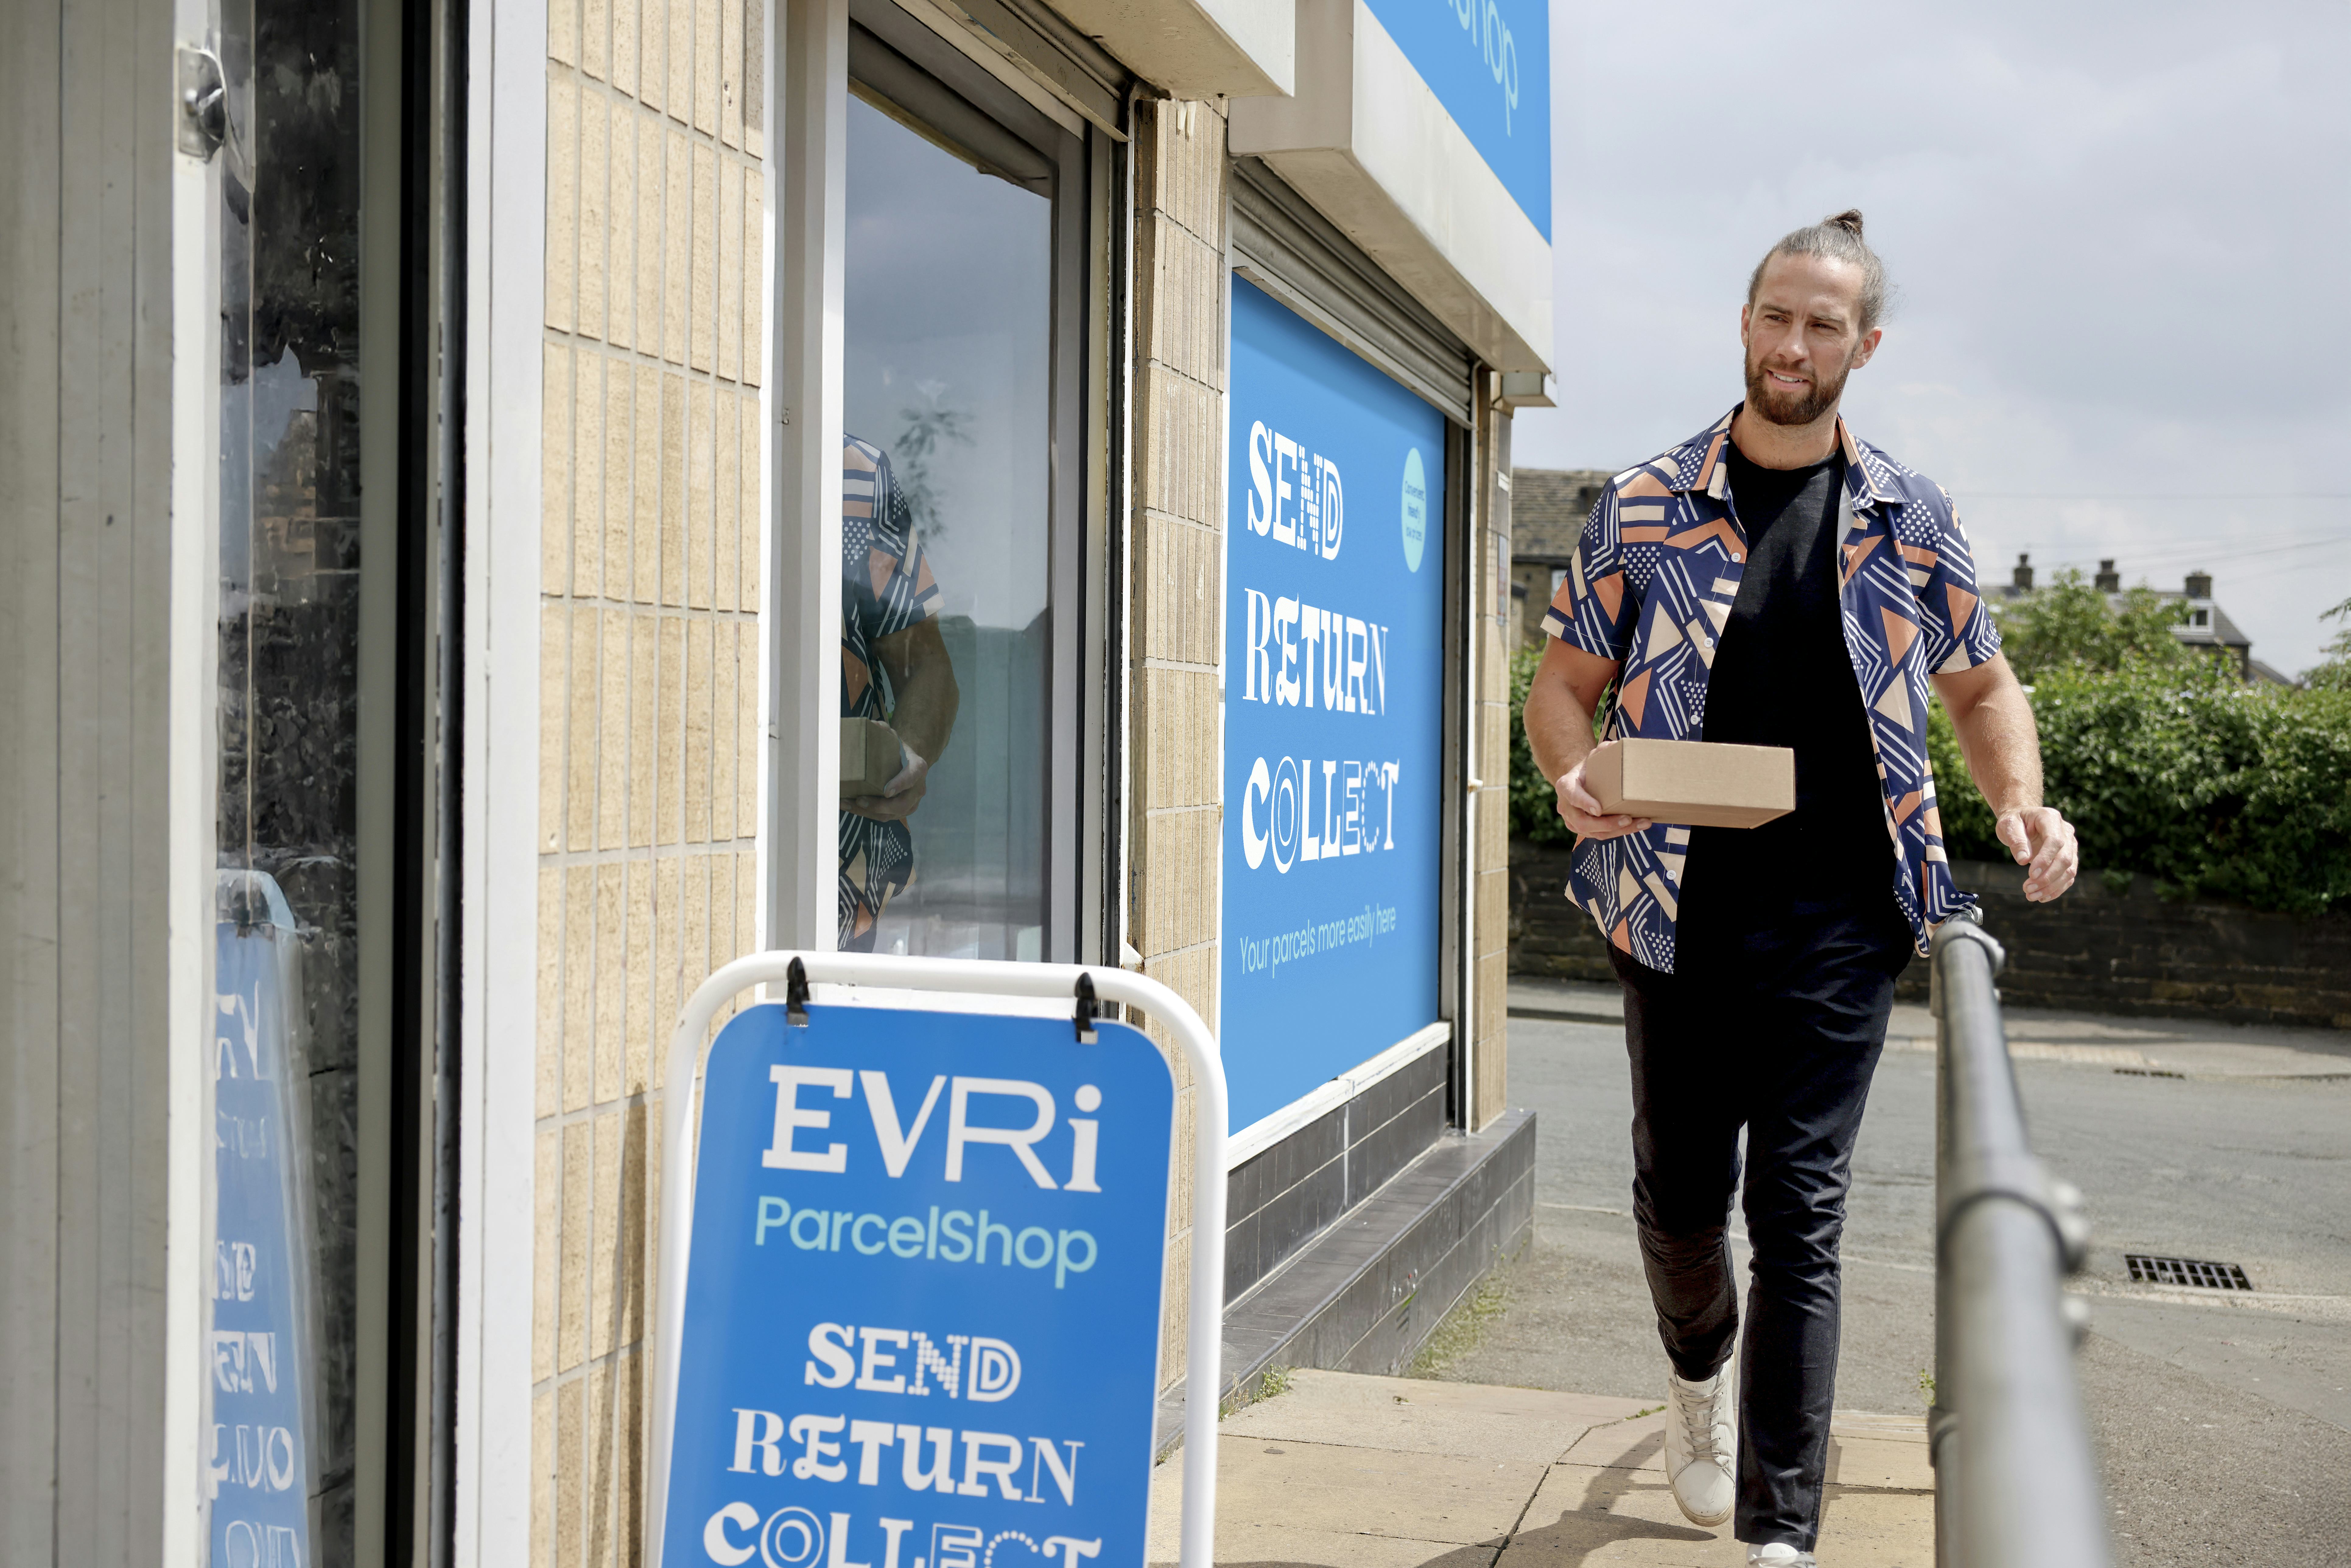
{"x":1179,"y":443}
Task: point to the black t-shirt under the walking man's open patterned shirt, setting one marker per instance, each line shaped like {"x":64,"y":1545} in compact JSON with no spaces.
{"x":1783,"y":678}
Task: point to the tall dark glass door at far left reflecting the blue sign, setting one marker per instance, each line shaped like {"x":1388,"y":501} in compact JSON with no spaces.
{"x":281,"y":1369}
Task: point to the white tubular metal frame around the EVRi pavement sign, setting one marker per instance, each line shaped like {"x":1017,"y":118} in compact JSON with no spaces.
{"x":970,"y":981}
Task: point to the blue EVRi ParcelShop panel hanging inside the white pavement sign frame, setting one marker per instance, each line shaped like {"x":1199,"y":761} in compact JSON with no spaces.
{"x":923,"y":1299}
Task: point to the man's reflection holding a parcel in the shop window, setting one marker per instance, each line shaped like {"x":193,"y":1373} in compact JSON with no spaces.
{"x":895,"y":666}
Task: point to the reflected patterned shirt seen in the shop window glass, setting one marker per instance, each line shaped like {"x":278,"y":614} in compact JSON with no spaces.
{"x":885,"y":589}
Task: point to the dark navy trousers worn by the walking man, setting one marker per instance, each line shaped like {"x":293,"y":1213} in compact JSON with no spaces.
{"x":1774,"y":1028}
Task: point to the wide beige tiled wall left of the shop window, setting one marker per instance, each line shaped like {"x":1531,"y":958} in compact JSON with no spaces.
{"x":650,"y":655}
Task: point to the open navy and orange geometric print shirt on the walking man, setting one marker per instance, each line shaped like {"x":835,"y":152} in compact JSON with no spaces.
{"x":1652,"y":587}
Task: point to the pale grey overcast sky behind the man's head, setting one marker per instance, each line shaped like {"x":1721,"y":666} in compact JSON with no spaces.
{"x":2119,"y":241}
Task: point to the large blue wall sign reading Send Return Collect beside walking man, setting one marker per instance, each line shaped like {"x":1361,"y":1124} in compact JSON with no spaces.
{"x":1334,"y":711}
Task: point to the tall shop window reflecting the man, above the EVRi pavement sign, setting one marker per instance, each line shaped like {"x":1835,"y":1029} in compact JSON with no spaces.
{"x":960,"y":502}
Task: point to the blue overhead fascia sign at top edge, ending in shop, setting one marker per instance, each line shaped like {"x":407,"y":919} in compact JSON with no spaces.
{"x":1489,"y":62}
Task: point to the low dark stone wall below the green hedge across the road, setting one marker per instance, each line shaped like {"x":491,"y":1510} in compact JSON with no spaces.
{"x":2110,"y":946}
